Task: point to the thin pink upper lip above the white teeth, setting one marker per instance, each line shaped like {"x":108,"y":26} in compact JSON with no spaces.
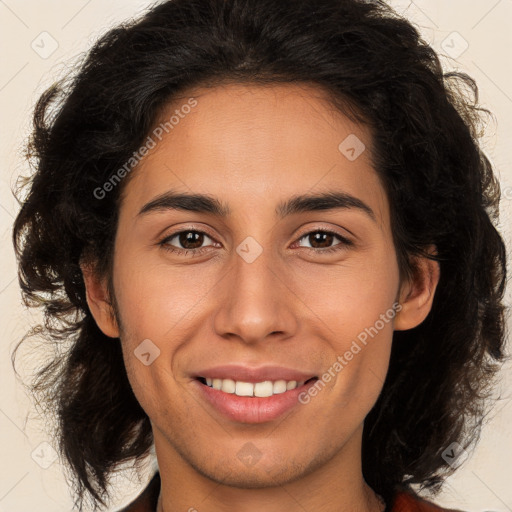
{"x":259,"y":374}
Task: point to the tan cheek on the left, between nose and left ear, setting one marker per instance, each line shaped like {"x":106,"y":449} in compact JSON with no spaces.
{"x":159,"y":308}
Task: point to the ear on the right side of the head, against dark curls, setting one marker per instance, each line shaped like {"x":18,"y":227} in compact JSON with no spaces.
{"x":417,"y":293}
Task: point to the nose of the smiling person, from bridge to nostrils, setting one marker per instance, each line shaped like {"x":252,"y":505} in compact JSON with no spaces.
{"x":256,"y":302}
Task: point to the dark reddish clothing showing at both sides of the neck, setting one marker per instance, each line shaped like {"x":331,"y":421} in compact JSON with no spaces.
{"x":402,"y":502}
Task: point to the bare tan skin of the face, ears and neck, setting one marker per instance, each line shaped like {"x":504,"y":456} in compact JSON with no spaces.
{"x":252,"y":147}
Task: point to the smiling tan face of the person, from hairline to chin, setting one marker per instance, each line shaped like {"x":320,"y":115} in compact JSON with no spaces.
{"x":260,"y":285}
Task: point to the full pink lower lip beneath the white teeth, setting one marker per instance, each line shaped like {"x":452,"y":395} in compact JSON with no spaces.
{"x":252,"y":409}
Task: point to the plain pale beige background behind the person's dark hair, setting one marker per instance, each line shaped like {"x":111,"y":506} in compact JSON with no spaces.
{"x":40,"y":40}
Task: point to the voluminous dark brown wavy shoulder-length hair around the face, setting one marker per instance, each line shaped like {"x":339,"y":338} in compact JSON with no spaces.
{"x":442,"y":191}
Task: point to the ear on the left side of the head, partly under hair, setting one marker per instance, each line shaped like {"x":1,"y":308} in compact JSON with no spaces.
{"x":99,"y":302}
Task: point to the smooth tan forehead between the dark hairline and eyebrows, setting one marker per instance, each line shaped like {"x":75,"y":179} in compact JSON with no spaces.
{"x":253,"y":145}
